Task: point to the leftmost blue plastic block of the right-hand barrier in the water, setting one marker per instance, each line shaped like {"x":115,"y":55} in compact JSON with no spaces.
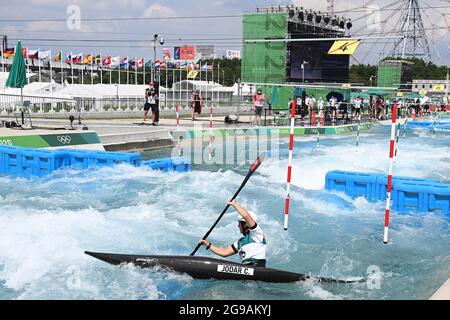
{"x":354,"y":184}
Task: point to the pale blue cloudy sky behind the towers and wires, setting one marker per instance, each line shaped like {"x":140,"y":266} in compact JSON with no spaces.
{"x":129,"y":37}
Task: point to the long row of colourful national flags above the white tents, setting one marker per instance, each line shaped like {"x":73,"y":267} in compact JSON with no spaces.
{"x":121,"y":62}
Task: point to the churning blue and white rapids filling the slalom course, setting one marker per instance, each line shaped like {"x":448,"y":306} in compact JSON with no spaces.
{"x":47,"y":223}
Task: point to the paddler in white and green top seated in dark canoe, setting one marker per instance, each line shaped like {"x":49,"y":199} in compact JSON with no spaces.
{"x":251,"y":247}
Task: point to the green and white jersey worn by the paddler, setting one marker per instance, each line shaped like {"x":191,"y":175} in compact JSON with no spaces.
{"x":252,"y":246}
